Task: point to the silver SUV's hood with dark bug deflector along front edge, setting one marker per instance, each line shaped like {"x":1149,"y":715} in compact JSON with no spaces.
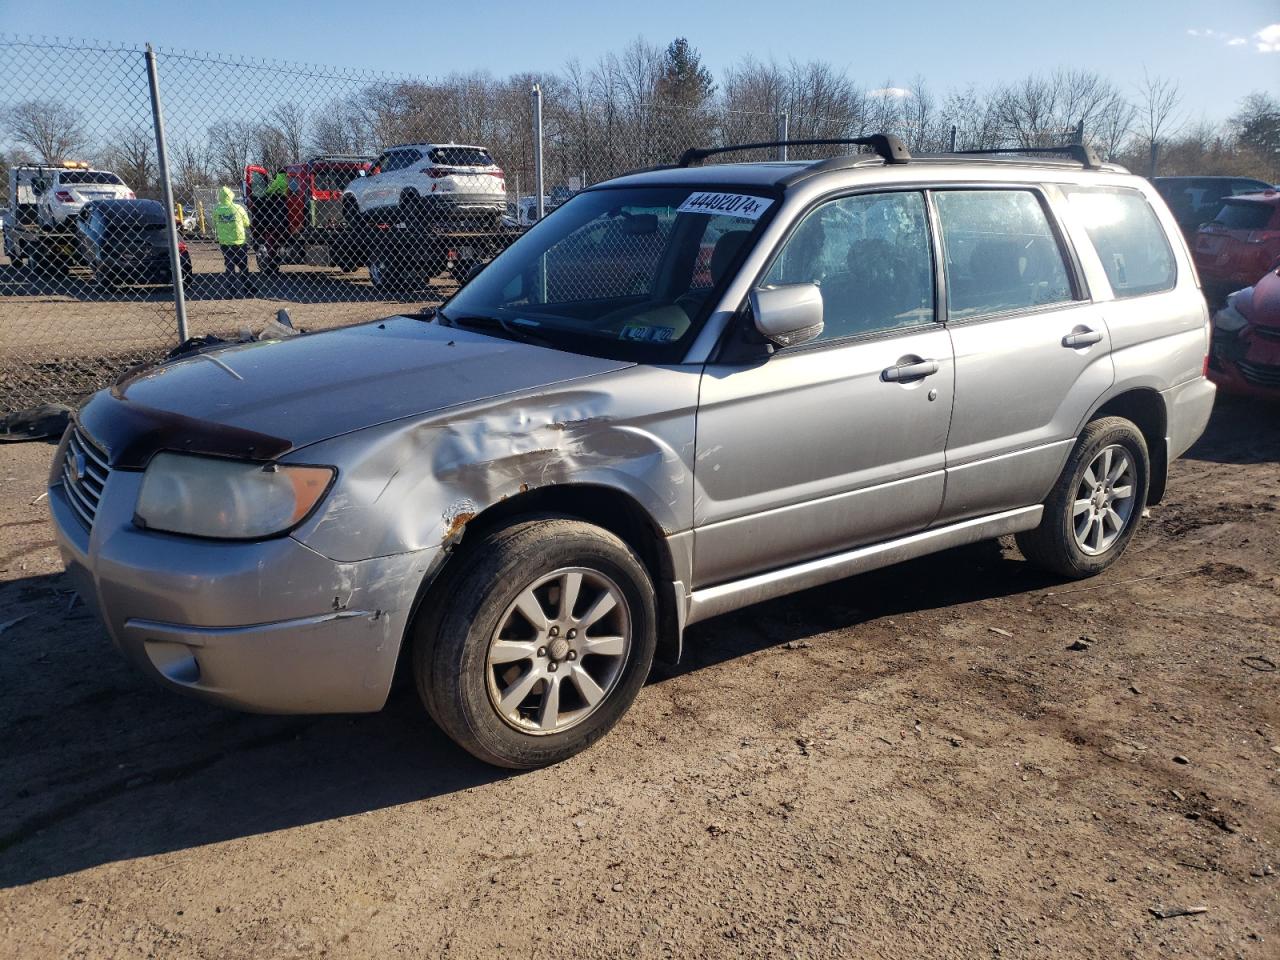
{"x":266,"y":399}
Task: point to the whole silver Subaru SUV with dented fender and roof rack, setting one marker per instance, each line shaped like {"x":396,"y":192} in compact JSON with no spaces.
{"x":687,"y":391}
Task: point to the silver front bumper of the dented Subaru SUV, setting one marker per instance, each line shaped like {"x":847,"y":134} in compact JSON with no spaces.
{"x":269,"y":627}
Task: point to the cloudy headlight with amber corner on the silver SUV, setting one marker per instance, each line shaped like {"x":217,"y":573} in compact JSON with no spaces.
{"x":227,"y":499}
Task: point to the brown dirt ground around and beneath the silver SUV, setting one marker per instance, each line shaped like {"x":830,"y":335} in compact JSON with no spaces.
{"x":911,"y":764}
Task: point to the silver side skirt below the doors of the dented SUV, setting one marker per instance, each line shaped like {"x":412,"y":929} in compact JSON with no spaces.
{"x":714,"y":601}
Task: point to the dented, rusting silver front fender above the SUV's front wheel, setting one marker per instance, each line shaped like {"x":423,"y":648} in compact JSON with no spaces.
{"x":417,"y":483}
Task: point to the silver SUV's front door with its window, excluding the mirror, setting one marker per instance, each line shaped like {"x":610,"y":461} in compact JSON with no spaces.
{"x":838,"y":442}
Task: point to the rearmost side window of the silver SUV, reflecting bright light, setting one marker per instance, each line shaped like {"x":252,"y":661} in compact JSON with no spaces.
{"x":1128,"y":239}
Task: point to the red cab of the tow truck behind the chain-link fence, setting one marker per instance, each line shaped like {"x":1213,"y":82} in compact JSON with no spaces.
{"x":310,"y":214}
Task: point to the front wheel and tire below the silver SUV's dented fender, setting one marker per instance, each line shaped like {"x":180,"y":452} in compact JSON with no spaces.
{"x":537,"y":643}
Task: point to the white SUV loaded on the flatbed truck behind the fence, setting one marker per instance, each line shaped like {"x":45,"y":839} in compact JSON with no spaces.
{"x":444,"y":180}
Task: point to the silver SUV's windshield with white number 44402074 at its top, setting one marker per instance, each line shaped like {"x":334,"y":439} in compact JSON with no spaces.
{"x":619,"y":273}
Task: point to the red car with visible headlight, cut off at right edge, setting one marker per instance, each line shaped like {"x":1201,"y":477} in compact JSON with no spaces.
{"x":1246,"y":355}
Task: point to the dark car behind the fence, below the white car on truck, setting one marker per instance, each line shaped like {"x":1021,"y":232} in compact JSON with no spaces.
{"x":126,"y":243}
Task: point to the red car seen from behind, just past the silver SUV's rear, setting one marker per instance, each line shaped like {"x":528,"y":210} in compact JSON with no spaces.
{"x":1240,"y":245}
